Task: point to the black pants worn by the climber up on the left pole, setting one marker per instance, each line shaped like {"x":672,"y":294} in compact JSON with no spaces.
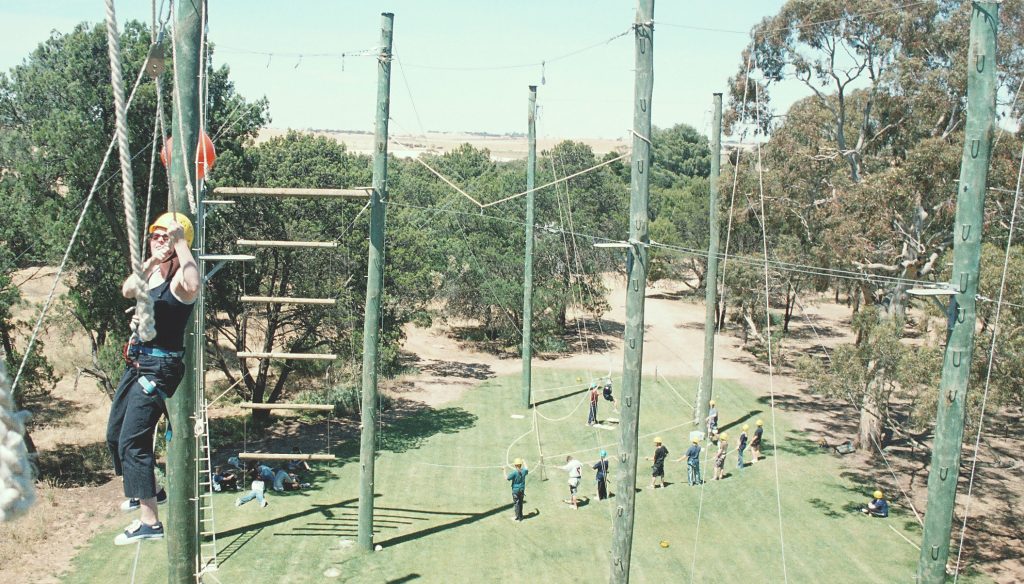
{"x":134,"y":421}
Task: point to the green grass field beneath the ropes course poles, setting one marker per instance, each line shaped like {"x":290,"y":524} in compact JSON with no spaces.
{"x":444,"y":507}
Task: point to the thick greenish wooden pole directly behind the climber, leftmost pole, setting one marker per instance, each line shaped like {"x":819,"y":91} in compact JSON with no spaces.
{"x":183,"y":478}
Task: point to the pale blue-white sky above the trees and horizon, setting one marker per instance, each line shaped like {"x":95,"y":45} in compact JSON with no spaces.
{"x":461,"y":66}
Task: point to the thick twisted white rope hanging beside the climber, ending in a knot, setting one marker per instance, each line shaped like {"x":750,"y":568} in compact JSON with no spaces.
{"x":144,"y":304}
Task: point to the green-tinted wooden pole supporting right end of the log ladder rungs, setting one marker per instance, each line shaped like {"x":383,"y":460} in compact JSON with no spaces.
{"x":375,"y":283}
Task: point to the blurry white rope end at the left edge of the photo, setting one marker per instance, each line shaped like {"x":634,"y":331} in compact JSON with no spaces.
{"x":17,"y":490}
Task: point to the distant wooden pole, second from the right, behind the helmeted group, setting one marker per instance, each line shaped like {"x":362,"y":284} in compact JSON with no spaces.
{"x":711,"y":279}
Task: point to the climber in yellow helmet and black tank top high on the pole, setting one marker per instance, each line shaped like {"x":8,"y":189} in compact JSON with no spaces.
{"x":154,"y":370}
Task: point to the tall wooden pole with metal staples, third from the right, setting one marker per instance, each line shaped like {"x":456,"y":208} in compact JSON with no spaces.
{"x":636,"y":268}
